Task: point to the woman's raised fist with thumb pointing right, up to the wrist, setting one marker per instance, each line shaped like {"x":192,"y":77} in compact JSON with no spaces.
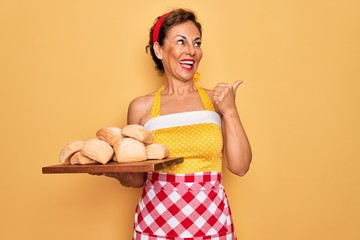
{"x":224,"y":95}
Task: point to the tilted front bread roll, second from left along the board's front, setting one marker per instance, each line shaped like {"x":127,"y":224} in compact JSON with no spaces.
{"x":98,"y":150}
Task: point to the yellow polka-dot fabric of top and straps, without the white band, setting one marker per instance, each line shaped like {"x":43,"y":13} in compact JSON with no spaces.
{"x":199,"y":144}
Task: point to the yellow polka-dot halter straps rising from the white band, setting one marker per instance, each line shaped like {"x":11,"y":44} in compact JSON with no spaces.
{"x":205,"y":99}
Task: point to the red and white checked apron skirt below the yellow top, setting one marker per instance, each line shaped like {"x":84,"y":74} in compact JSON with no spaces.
{"x":183,"y":206}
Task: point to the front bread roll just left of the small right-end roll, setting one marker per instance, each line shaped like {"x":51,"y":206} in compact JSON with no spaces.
{"x":129,"y":150}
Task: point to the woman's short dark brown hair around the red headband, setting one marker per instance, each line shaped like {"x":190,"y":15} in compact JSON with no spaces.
{"x":175,"y":17}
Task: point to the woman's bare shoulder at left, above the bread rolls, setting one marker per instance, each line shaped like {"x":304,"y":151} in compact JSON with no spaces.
{"x":140,"y":108}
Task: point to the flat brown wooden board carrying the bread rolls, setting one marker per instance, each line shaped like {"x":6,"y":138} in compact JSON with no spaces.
{"x":143,"y":166}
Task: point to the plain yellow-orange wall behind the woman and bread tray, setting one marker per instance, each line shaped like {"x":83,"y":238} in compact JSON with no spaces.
{"x":69,"y":68}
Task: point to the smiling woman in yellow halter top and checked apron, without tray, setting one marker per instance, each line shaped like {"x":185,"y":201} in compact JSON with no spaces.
{"x":203,"y":126}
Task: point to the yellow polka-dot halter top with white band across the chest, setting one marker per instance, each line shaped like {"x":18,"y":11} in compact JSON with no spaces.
{"x":194,"y":135}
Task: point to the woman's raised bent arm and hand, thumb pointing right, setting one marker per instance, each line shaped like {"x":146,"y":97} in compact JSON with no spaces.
{"x":237,"y":150}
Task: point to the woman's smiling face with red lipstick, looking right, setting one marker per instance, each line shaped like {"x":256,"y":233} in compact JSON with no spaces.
{"x":181,"y":51}
